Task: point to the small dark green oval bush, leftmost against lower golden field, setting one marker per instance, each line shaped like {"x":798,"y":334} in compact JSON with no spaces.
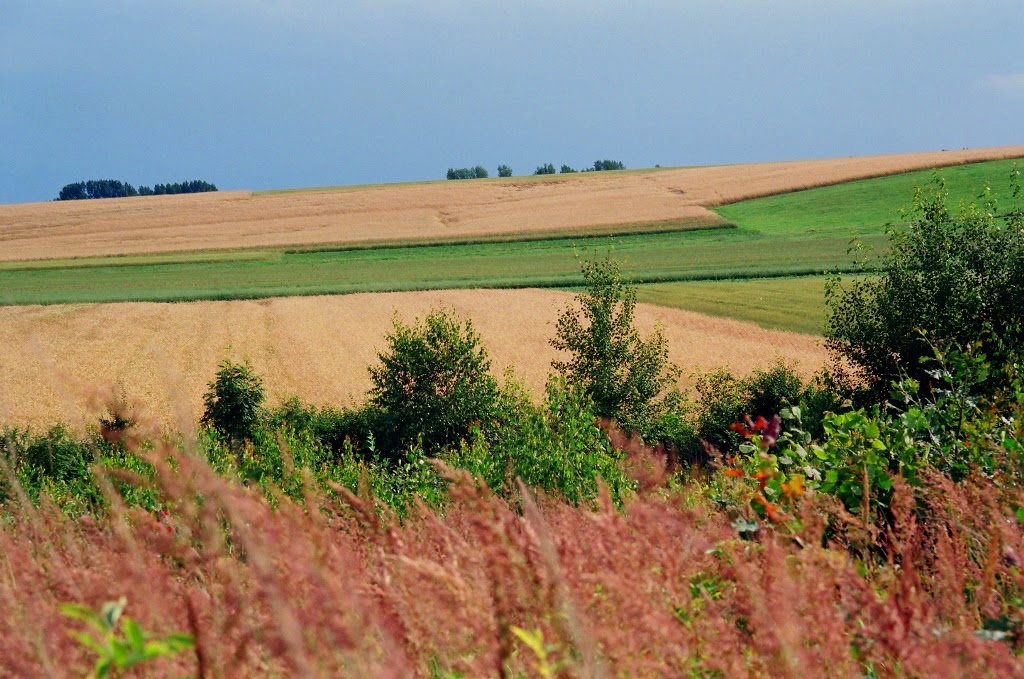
{"x":234,"y":402}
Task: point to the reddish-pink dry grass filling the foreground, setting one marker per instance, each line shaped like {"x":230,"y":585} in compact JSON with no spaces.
{"x":657,"y":590}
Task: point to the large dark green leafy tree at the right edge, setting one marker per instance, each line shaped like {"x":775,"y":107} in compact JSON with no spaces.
{"x":947,"y":279}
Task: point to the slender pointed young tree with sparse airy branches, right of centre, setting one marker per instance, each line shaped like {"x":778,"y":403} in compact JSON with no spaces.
{"x":630,"y":378}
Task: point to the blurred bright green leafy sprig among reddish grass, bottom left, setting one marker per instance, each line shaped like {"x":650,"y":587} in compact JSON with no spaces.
{"x":124,"y":649}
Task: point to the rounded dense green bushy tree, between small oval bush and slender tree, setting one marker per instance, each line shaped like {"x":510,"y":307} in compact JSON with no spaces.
{"x":433,"y":385}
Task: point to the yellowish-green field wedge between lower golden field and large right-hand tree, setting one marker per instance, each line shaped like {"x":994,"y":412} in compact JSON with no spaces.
{"x":796,"y":305}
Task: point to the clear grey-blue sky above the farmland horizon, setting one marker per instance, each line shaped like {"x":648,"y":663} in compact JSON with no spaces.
{"x":257,"y":95}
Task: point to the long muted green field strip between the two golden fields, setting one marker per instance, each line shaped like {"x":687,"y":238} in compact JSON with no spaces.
{"x":673,"y":257}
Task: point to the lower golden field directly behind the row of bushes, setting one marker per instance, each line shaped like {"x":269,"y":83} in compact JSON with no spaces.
{"x":52,"y":358}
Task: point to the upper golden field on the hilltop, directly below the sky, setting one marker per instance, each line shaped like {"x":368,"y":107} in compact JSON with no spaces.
{"x":237,"y":220}
